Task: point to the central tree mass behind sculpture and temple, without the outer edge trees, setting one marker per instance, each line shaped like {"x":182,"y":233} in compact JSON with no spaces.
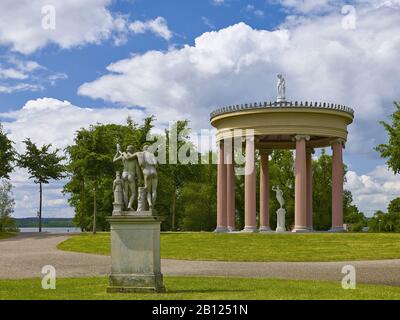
{"x":187,"y":192}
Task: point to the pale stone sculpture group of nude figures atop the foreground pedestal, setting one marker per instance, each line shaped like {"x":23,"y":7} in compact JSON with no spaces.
{"x":137,"y":167}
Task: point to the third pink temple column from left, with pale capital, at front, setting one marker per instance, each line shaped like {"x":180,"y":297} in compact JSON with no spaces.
{"x":250,"y":188}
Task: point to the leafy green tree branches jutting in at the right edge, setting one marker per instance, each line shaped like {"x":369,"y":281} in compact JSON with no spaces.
{"x":391,"y":149}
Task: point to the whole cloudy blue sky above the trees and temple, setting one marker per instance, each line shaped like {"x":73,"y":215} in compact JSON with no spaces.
{"x":107,"y":59}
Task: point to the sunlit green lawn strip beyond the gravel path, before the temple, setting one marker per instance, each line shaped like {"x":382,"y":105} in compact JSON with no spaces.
{"x":258,"y":247}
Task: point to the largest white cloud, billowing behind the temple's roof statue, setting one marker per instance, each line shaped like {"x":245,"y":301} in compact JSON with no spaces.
{"x":238,"y":64}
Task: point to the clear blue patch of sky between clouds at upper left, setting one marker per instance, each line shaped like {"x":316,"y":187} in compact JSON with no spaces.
{"x":187,"y":19}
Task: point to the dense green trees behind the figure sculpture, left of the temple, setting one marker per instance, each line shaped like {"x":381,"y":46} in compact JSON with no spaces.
{"x":91,"y":172}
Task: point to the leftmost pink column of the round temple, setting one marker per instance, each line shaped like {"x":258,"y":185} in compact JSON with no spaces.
{"x":221,"y":190}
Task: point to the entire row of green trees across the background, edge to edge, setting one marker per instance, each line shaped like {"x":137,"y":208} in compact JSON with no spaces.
{"x":187,"y":191}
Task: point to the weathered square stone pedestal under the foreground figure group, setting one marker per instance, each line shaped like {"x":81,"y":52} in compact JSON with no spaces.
{"x":135,"y":253}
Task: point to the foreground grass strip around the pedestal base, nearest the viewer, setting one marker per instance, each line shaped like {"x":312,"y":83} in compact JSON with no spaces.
{"x":198,"y":288}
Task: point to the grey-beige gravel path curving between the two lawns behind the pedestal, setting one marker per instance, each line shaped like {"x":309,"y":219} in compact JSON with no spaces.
{"x":24,"y":256}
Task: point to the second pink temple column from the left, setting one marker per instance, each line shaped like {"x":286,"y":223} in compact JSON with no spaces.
{"x":230,"y":186}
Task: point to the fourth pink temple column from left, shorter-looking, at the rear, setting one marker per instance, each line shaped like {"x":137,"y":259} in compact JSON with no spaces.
{"x":264,"y":191}
